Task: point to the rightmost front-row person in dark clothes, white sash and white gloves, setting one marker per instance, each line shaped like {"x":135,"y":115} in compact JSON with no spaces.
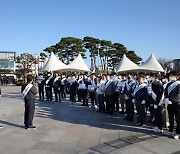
{"x":172,"y":98}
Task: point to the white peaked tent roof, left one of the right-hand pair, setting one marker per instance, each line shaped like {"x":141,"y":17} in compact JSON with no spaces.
{"x":126,"y":65}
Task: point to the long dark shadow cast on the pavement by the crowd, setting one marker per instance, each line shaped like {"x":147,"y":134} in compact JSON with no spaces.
{"x":77,"y":114}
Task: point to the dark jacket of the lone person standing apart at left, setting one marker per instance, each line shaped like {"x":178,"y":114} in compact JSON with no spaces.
{"x":32,"y":92}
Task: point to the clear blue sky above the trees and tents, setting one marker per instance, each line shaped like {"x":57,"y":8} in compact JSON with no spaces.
{"x":145,"y":26}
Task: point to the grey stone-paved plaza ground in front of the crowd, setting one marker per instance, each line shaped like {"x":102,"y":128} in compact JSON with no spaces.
{"x":63,"y":128}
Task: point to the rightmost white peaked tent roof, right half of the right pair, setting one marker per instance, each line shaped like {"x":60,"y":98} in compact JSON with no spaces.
{"x":152,"y":64}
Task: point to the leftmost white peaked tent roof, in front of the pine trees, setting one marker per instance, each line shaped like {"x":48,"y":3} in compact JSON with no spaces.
{"x":54,"y":64}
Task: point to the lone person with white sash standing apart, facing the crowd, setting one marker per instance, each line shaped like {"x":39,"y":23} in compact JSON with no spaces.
{"x":29,"y":91}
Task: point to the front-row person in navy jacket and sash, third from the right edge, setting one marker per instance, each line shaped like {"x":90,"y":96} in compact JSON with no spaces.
{"x":140,"y":96}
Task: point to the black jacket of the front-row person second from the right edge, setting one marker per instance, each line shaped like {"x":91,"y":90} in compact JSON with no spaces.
{"x":158,"y":89}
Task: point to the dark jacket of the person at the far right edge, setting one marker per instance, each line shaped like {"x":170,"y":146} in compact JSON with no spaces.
{"x":174,"y":95}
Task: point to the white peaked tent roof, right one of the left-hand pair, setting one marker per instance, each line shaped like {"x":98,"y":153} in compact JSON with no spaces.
{"x":78,"y":64}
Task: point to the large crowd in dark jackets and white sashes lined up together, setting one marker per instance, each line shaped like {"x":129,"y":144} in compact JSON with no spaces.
{"x":110,"y":93}
